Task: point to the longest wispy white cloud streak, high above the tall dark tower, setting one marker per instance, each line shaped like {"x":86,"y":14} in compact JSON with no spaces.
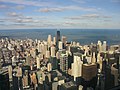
{"x":64,"y":8}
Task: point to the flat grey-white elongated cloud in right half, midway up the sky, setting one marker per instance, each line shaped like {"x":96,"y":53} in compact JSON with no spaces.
{"x":88,"y":16}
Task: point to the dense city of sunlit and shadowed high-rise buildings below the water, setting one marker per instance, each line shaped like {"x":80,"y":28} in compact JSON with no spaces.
{"x":58,"y":64}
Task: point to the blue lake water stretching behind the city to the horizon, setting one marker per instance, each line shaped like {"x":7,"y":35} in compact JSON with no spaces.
{"x":84,"y":36}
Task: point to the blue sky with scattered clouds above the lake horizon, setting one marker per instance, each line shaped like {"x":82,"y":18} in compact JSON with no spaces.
{"x":57,"y":14}
